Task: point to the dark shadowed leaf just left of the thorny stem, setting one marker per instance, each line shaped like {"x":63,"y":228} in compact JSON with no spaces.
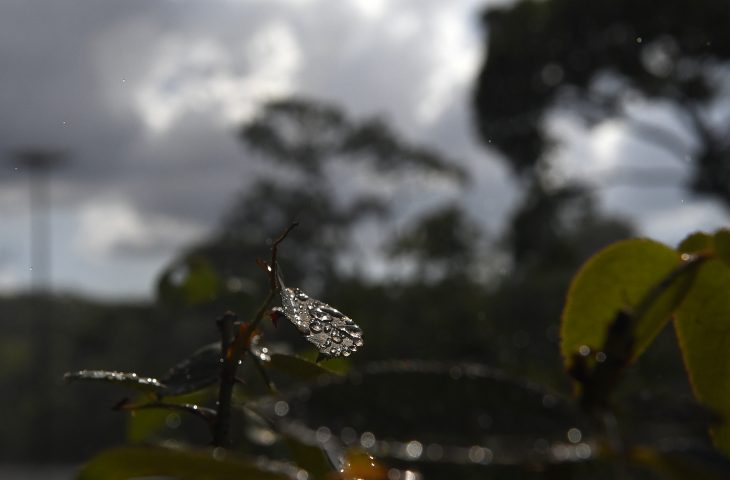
{"x":200,"y":370}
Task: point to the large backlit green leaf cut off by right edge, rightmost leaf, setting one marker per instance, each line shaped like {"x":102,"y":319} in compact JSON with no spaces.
{"x":703,"y":328}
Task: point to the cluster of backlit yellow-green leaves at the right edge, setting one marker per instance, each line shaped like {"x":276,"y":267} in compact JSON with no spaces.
{"x":623,"y":296}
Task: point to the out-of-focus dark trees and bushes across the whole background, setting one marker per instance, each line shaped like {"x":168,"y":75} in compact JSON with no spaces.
{"x":444,"y":289}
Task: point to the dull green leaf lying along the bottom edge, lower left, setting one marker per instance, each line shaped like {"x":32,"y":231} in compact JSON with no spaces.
{"x":132,"y":462}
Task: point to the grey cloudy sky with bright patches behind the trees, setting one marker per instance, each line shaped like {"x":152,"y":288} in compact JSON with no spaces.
{"x":145,"y":96}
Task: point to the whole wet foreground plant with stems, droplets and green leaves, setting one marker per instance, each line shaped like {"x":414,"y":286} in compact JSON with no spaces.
{"x":433,"y":419}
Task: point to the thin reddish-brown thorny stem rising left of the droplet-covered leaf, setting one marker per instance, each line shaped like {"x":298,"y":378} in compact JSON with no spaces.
{"x":233,"y":349}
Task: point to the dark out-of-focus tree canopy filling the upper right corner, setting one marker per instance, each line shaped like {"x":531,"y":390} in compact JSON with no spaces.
{"x":596,"y":58}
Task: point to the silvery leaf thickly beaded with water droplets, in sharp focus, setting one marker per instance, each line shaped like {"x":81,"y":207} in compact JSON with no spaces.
{"x":333,"y":333}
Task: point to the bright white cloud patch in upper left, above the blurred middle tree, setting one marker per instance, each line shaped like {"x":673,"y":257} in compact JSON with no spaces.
{"x":205,"y":77}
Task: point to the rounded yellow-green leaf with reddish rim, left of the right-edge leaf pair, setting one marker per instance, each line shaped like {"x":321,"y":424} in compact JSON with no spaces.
{"x":618,"y":278}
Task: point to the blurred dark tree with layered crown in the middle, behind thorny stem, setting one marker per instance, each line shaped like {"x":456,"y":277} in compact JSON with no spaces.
{"x":309,"y":149}
